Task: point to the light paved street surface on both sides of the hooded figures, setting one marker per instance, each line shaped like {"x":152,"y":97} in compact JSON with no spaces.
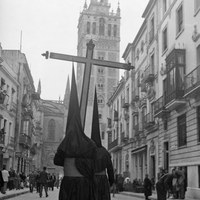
{"x":53,"y":195}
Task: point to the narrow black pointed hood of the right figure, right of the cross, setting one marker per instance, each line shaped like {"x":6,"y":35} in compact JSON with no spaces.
{"x":95,"y":135}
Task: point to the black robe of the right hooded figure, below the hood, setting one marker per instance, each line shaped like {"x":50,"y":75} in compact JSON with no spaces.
{"x":104,"y":173}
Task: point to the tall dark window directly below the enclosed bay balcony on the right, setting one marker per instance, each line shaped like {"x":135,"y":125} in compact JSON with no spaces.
{"x":181,"y":126}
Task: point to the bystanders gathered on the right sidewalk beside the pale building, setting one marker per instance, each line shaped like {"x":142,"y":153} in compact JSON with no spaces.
{"x":169,"y":184}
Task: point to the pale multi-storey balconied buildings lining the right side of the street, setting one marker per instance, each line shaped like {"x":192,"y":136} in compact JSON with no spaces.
{"x":164,"y":101}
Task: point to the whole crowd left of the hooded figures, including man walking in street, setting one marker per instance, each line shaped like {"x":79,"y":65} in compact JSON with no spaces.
{"x":35,"y":181}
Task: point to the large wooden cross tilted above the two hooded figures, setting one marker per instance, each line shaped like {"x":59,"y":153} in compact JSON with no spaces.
{"x":88,"y":61}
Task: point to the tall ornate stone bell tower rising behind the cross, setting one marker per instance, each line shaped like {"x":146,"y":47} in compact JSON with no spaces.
{"x":96,"y":22}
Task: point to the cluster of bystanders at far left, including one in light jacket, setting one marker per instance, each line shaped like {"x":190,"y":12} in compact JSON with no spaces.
{"x":11,"y":180}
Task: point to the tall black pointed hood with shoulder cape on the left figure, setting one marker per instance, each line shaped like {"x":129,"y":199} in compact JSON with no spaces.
{"x":75,"y":144}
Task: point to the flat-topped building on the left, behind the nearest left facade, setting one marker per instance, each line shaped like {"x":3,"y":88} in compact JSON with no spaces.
{"x":25,"y":98}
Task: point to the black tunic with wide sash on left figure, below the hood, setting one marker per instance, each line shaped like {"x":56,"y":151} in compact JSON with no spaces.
{"x":78,"y":181}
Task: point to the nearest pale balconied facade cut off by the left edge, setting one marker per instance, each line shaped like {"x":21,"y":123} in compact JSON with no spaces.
{"x":8,"y":112}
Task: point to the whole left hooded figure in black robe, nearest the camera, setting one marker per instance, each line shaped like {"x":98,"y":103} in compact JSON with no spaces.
{"x":76,"y":154}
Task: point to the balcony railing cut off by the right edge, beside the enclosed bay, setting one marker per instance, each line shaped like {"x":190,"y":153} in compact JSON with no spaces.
{"x":192,"y":81}
